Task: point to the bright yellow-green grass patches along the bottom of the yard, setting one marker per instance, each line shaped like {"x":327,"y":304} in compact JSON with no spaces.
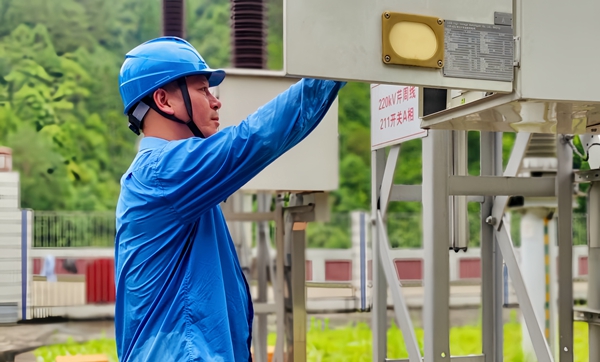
{"x":353,"y":343}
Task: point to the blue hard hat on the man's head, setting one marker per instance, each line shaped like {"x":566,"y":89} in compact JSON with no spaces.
{"x":158,"y":62}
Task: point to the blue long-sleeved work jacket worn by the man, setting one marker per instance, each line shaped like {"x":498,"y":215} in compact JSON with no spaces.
{"x":181,"y":294}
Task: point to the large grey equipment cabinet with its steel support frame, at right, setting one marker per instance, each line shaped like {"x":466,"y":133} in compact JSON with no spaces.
{"x":527,"y":67}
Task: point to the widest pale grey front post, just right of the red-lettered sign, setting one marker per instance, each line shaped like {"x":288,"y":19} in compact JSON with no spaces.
{"x":436,"y":238}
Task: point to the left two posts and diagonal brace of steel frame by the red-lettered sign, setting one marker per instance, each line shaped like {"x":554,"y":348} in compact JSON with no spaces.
{"x":436,"y":238}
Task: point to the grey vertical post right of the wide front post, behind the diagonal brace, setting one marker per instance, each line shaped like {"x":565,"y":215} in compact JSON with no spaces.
{"x":491,"y":261}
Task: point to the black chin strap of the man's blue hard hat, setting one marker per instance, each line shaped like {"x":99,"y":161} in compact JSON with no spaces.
{"x":137,"y":115}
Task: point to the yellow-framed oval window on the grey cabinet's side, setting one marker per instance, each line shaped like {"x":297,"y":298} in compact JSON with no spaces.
{"x":412,"y":40}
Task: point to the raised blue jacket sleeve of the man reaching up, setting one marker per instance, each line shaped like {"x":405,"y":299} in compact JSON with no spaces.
{"x":196,"y":174}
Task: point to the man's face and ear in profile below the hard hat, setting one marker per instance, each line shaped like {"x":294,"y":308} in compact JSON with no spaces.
{"x":205,"y":106}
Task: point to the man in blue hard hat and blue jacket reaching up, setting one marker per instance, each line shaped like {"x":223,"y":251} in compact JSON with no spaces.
{"x":181,"y":294}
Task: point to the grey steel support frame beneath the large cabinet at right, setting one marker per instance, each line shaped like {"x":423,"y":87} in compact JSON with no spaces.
{"x":496,"y":244}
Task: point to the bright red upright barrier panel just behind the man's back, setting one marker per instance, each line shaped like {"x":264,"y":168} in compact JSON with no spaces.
{"x":100,"y":281}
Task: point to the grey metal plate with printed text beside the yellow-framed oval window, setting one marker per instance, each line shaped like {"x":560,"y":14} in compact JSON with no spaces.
{"x":478,"y":51}
